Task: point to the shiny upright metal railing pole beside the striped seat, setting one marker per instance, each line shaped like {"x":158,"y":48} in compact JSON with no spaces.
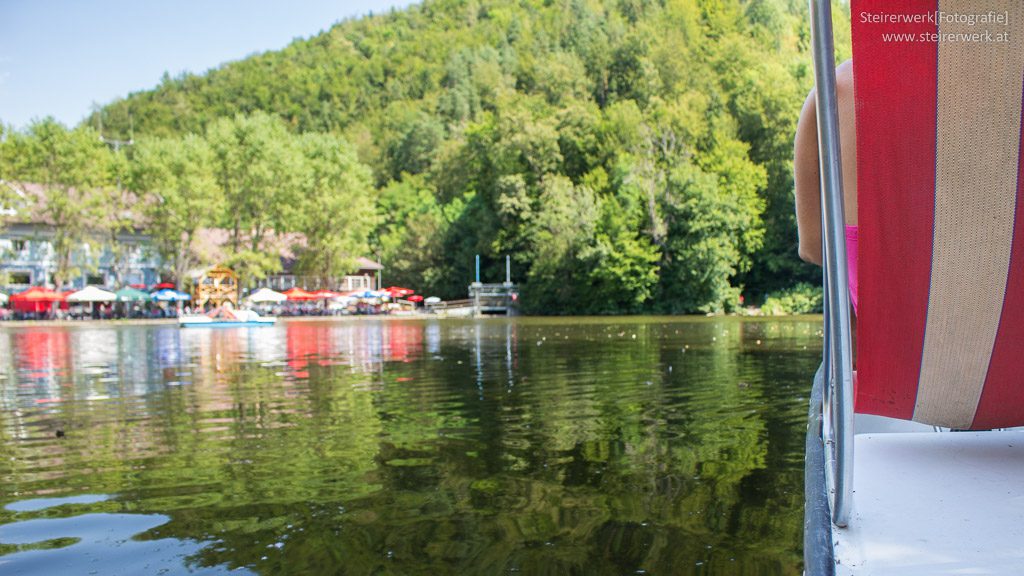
{"x":839,"y":404}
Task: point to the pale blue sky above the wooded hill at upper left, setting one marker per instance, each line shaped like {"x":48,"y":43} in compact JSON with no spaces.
{"x":60,"y":57}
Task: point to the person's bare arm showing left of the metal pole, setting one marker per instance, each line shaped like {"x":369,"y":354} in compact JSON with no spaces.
{"x":807,"y":180}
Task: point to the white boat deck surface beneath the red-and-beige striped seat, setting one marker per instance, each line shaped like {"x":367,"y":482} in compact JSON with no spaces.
{"x":931,"y":504}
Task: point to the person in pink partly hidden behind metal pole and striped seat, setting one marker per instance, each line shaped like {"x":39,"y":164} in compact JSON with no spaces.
{"x":807,"y":176}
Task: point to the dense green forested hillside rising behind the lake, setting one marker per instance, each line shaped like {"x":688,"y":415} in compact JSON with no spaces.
{"x":630,"y":155}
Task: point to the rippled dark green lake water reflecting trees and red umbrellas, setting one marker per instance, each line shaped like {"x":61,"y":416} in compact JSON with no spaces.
{"x":527,"y":446}
